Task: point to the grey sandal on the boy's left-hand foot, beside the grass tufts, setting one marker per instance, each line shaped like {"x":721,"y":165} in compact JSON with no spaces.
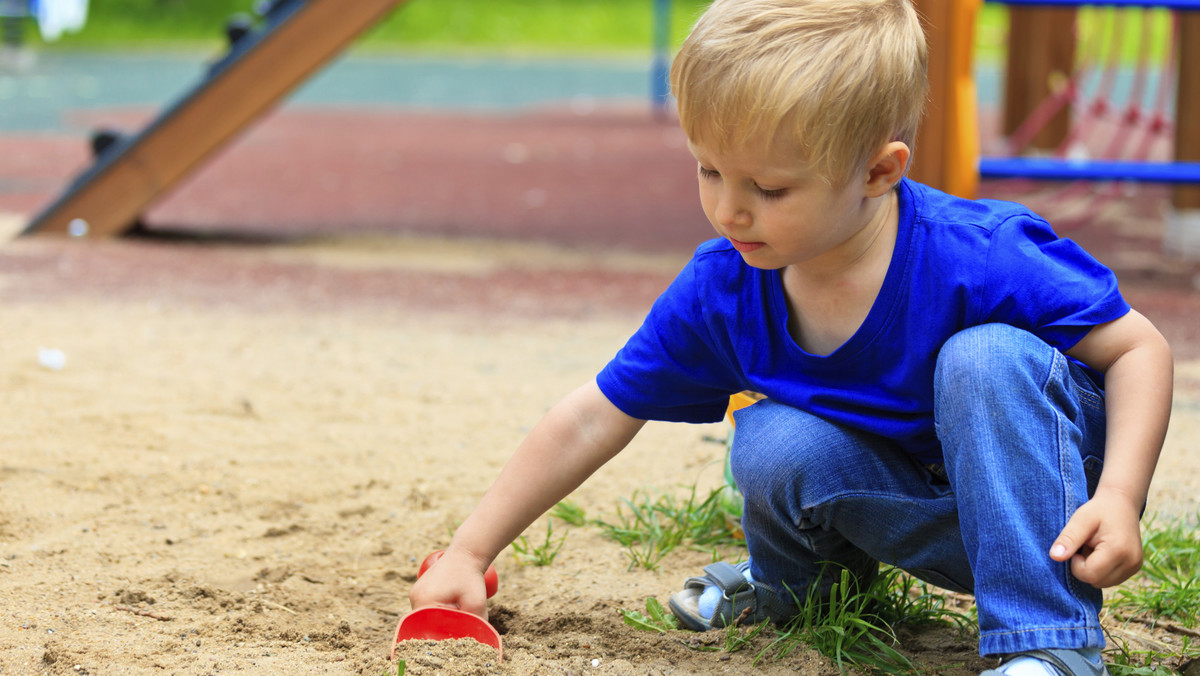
{"x":742,"y":602}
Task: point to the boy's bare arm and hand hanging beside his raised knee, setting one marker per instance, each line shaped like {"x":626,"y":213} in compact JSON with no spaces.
{"x":1103,"y":539}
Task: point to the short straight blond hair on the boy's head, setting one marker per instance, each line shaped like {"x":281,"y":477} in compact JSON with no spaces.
{"x":839,"y":79}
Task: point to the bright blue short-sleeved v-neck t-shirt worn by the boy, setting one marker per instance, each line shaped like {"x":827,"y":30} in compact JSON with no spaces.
{"x":722,"y":327}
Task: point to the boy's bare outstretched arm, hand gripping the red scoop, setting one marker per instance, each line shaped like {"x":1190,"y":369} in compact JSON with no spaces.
{"x":578,"y":436}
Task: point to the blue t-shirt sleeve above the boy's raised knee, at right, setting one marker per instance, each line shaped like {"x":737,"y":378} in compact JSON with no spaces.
{"x":1047,"y":285}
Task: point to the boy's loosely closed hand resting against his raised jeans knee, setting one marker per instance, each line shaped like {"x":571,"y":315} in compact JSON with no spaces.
{"x":1103,"y":541}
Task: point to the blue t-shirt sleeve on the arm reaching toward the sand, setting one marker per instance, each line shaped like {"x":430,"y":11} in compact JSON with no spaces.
{"x":671,"y":369}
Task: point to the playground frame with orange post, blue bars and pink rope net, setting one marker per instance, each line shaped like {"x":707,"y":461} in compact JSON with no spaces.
{"x":1043,"y":80}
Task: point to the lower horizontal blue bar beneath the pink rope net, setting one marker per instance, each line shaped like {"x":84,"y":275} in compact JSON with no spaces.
{"x":1040,"y":169}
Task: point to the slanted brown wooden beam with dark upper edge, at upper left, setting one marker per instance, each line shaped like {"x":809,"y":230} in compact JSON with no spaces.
{"x":298,"y":38}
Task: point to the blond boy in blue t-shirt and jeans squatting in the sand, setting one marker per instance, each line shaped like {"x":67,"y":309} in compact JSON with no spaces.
{"x":950,"y":387}
